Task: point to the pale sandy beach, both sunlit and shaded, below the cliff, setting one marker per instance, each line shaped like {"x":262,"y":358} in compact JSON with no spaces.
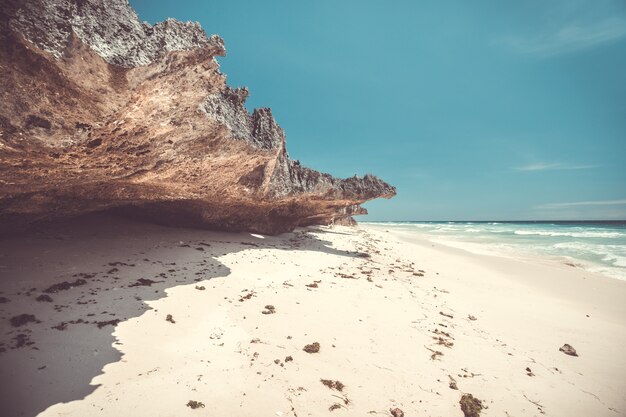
{"x":151,"y":318}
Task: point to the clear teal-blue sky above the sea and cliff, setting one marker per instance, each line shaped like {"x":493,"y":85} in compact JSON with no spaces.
{"x":482,"y":110}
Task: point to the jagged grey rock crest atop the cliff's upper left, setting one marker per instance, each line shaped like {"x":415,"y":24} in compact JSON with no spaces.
{"x":110,"y":27}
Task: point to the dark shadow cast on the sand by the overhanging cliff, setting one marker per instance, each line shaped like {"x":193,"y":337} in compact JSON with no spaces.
{"x":65,"y":286}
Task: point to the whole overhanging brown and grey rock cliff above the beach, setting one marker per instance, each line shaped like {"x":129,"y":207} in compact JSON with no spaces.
{"x":99,"y":111}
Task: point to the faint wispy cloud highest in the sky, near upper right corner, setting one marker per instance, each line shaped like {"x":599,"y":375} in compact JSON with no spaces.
{"x":570,"y":37}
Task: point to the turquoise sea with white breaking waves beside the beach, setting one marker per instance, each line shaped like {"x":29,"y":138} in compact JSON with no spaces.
{"x":596,"y":246}
